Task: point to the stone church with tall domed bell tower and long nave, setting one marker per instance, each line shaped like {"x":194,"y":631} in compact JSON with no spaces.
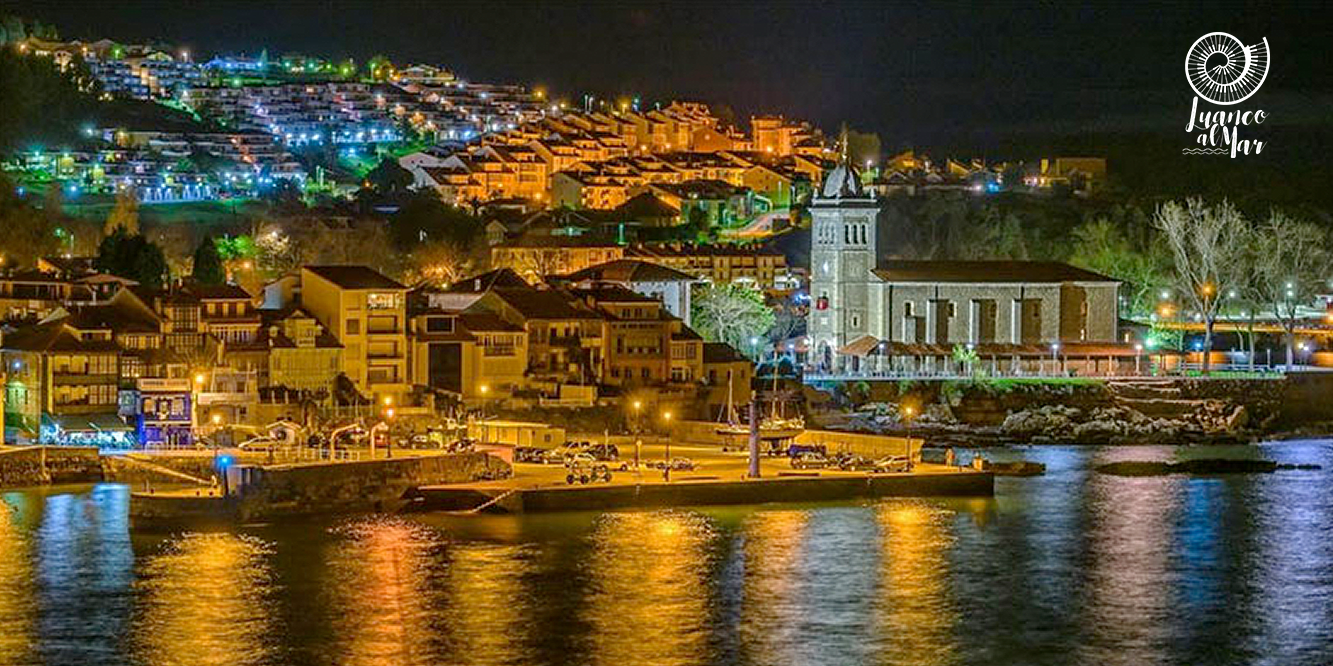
{"x":868,"y":311}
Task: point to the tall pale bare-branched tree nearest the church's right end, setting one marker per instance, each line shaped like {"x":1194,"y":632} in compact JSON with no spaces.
{"x":1208,"y":244}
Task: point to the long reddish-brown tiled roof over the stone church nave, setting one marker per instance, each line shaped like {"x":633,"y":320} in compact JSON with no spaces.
{"x":986,"y":272}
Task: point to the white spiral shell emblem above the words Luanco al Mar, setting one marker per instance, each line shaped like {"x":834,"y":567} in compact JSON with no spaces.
{"x":1224,"y":71}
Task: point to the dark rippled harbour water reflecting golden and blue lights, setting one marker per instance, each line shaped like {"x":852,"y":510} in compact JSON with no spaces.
{"x":1070,"y":568}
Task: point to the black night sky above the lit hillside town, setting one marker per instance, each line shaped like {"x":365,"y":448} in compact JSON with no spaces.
{"x":943,"y":74}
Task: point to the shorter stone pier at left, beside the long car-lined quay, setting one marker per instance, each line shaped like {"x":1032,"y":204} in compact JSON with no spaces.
{"x":257,"y":494}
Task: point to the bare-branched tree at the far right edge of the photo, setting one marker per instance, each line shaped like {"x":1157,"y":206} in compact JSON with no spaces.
{"x":1292,"y":264}
